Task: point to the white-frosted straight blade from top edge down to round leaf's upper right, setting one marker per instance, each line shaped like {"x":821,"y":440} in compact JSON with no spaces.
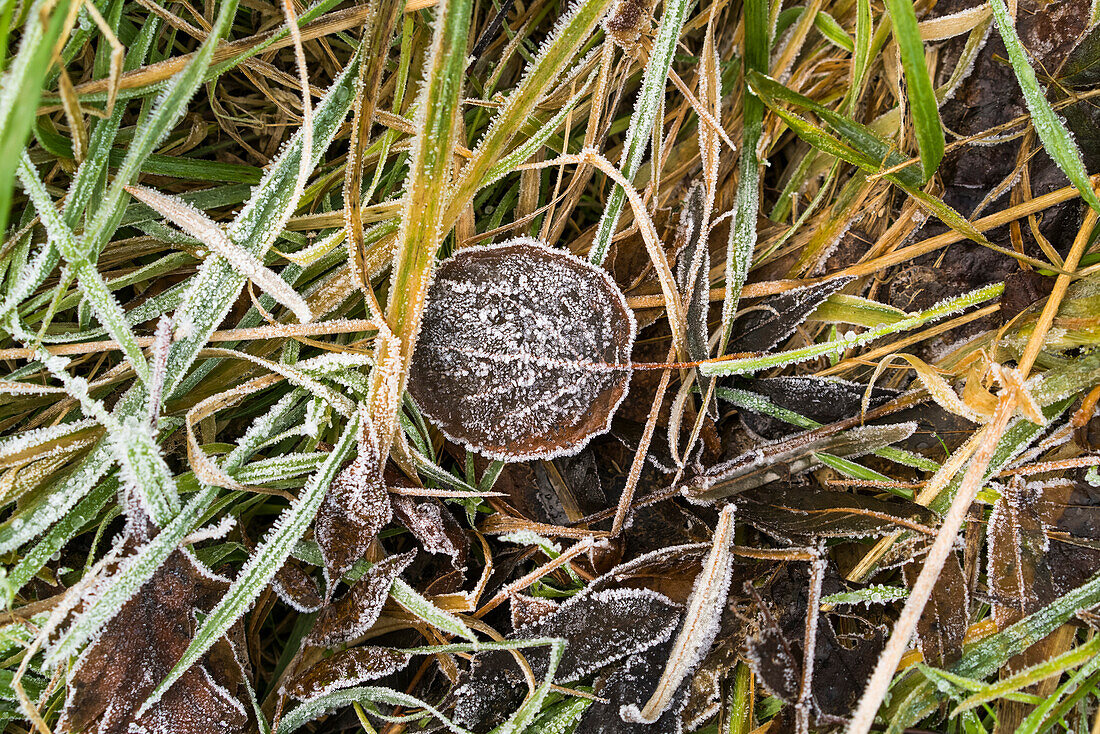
{"x":642,"y":120}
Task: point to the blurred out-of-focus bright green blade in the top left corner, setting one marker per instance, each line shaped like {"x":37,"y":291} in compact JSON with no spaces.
{"x":21,"y":90}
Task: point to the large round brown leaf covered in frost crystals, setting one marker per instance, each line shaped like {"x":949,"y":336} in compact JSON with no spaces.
{"x":514,"y":352}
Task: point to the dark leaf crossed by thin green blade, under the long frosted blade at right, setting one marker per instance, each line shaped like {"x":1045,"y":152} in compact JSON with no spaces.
{"x":819,"y":399}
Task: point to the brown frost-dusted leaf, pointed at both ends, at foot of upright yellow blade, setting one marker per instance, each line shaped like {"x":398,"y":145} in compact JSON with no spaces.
{"x":355,"y":510}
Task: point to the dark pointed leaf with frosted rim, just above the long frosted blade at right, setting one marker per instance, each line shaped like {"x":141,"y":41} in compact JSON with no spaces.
{"x":775,"y":319}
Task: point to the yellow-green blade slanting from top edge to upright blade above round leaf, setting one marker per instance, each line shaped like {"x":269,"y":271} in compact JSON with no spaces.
{"x":567,"y":38}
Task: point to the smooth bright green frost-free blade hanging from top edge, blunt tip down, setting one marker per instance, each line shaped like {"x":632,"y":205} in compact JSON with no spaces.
{"x":922,"y":101}
